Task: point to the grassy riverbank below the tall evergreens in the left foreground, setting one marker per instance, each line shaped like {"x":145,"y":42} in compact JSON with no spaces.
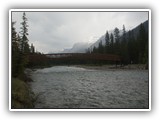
{"x":22,"y":96}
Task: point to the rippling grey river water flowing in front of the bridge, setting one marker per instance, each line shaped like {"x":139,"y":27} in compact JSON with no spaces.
{"x":75,"y":87}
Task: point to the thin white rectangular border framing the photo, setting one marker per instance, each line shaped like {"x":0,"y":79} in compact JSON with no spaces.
{"x":80,"y":10}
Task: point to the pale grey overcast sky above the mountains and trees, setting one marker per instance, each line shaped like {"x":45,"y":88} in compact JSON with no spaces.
{"x":55,"y":31}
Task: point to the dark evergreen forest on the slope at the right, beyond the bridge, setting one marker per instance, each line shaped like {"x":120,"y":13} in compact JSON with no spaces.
{"x":131,"y":47}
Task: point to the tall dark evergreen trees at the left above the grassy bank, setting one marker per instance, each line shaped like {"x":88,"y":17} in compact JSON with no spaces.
{"x":20,"y":47}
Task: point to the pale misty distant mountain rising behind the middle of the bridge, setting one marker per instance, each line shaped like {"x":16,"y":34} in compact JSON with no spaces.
{"x":78,"y":48}
